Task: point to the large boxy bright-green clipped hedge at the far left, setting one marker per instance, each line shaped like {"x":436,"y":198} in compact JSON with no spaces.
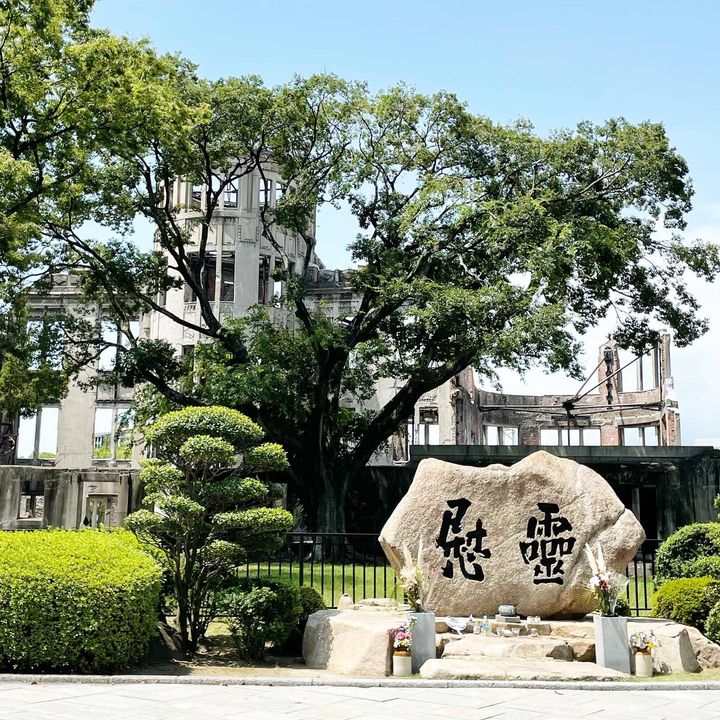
{"x":75,"y":601}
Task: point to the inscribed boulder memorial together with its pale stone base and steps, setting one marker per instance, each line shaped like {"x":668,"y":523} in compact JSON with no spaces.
{"x":501,"y":536}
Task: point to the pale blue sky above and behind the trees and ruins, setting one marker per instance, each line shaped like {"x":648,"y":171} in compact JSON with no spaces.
{"x":554,"y":62}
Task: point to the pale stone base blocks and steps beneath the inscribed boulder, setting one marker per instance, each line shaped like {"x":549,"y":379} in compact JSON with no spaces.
{"x":355,"y":642}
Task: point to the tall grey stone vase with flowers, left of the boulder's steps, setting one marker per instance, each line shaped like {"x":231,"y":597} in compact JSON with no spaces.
{"x":417,"y":581}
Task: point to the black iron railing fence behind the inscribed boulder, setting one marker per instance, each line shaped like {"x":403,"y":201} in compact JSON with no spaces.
{"x":354,"y":563}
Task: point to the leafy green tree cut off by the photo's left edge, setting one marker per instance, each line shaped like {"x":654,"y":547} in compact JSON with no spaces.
{"x":71,"y":99}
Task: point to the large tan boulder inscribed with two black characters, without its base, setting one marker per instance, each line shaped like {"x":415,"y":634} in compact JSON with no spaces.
{"x":511,"y":535}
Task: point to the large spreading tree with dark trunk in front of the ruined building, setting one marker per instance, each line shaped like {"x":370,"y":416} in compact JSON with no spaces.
{"x":478,"y":244}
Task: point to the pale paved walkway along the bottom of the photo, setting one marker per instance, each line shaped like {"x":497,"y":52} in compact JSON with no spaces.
{"x":214,"y":702}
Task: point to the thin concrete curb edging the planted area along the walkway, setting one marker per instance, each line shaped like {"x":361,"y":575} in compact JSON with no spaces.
{"x":352,"y":682}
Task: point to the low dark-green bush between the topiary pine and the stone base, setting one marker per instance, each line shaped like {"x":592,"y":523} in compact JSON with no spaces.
{"x":260,"y":611}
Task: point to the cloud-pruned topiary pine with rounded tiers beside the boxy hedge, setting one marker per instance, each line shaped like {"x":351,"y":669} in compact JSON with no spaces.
{"x":204,"y":511}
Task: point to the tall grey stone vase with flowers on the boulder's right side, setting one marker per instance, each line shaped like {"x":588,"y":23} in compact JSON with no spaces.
{"x":611,"y":647}
